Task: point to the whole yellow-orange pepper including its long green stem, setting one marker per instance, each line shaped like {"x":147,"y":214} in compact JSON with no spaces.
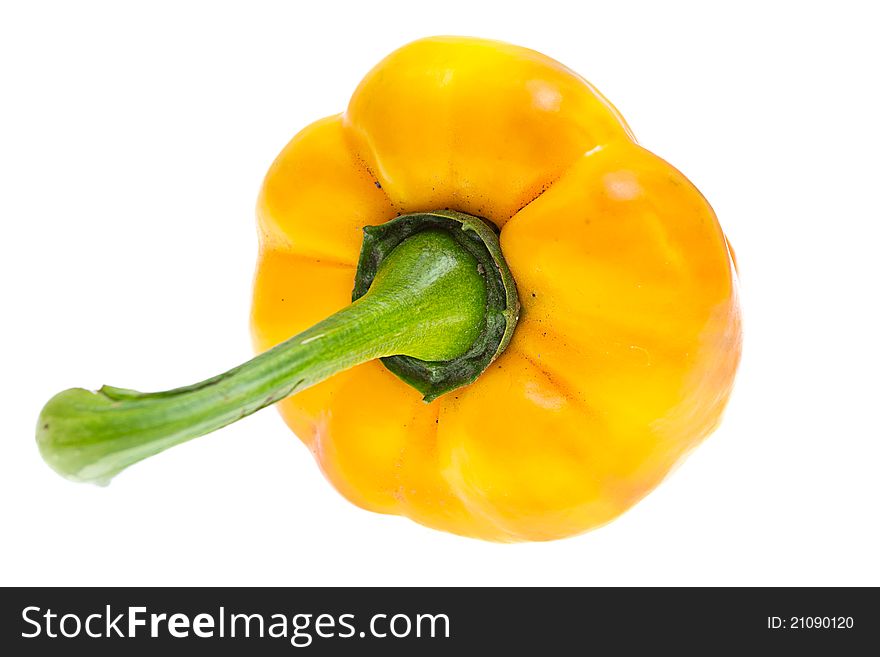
{"x":545,"y":315}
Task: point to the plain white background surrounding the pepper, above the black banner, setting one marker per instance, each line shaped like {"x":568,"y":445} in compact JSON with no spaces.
{"x":133,"y":140}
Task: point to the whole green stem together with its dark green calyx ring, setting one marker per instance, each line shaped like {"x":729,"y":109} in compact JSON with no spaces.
{"x":433,"y":299}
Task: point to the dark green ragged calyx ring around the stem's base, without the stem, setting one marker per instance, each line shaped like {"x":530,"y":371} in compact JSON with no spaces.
{"x":479,"y":238}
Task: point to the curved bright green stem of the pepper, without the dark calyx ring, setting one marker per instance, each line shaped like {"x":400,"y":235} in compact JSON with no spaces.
{"x":427,"y":301}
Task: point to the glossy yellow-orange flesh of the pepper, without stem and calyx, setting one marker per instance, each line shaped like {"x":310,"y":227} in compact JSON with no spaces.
{"x":629,"y":338}
